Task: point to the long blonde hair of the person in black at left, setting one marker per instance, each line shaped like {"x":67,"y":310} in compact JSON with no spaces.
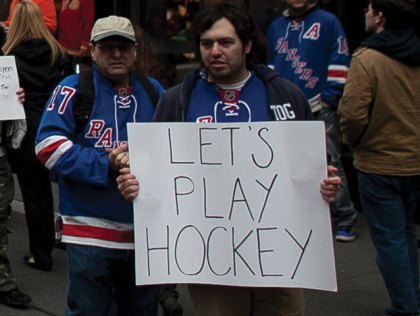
{"x":27,"y":23}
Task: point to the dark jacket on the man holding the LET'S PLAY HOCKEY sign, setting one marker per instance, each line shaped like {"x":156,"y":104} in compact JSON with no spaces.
{"x":173,"y":105}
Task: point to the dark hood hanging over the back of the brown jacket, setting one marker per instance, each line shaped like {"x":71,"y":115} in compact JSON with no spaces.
{"x":402,"y":45}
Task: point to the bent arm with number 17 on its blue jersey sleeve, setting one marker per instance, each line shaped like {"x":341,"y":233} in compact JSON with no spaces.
{"x":55,"y":142}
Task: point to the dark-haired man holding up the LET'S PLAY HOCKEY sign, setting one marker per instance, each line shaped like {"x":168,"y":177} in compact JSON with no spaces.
{"x":230,"y":88}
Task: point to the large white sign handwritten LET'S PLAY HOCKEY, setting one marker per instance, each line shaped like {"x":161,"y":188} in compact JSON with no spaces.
{"x":232,"y":204}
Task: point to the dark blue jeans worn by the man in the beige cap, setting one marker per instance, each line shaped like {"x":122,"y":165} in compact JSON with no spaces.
{"x":102,"y":282}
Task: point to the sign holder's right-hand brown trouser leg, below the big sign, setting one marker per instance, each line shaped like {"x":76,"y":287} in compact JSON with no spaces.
{"x":278,"y":302}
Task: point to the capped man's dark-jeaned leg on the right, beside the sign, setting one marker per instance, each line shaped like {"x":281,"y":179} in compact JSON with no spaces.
{"x":132,"y":299}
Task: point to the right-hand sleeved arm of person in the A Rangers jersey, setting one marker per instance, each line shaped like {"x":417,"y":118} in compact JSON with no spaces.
{"x":338,"y":64}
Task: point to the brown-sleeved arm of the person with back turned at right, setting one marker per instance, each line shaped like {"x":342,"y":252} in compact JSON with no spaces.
{"x":355,"y":104}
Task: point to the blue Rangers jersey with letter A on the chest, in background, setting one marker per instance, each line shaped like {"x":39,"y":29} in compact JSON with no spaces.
{"x":312,"y":52}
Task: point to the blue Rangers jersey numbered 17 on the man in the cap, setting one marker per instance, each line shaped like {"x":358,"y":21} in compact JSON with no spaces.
{"x":94,"y":212}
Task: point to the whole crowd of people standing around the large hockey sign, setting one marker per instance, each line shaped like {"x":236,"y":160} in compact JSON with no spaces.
{"x":76,"y":135}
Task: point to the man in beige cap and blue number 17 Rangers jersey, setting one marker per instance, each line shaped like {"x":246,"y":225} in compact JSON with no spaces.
{"x":97,"y":221}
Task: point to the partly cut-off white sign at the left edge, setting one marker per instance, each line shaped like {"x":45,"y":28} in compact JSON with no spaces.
{"x":10,"y":107}
